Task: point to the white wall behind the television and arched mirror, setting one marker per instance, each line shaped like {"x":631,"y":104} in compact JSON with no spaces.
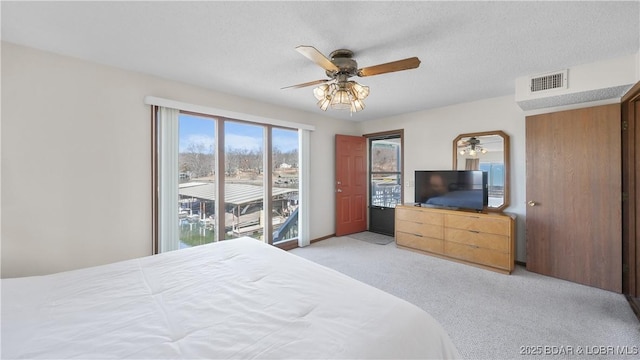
{"x":428,"y":144}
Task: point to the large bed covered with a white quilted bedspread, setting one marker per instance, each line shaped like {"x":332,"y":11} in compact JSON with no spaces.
{"x":232,"y":299}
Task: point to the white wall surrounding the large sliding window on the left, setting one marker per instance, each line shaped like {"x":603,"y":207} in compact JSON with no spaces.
{"x":76,"y":160}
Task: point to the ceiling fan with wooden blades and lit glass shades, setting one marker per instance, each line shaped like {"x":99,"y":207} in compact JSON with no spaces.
{"x":338,"y":91}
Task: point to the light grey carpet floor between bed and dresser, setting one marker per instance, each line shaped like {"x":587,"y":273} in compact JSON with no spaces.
{"x":491,"y":315}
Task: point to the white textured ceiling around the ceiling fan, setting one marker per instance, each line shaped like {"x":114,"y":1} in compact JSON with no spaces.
{"x":469,"y":50}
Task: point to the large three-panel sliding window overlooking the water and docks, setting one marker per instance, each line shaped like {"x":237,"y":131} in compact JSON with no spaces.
{"x":255,"y":166}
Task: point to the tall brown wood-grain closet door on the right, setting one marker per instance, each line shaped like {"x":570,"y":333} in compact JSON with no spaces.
{"x":574,"y":219}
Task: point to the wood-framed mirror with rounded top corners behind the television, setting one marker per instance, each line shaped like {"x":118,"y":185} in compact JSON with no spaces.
{"x":487,"y":151}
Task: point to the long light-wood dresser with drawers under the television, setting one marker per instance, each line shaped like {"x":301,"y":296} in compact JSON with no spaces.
{"x":486,"y":240}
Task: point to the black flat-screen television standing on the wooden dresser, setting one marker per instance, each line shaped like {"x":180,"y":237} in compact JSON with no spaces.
{"x":452,"y":189}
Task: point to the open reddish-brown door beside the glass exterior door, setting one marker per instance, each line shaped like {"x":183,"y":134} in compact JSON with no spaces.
{"x":351,"y":184}
